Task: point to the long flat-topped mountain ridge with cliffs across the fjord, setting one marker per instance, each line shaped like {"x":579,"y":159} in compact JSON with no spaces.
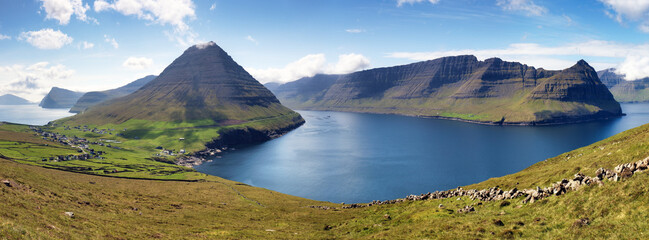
{"x":492,"y":91}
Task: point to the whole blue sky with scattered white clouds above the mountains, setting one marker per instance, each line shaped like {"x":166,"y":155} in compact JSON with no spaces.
{"x":90,"y":45}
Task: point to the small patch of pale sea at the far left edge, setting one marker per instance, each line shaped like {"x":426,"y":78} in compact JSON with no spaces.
{"x":31,"y":114}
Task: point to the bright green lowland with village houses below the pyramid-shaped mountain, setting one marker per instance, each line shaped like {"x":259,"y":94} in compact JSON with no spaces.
{"x":129,"y":149}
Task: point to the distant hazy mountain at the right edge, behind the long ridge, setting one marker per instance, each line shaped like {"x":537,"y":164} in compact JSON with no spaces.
{"x":622,"y":90}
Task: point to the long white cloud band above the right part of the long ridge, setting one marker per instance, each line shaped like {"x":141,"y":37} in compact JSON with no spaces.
{"x":554,"y":57}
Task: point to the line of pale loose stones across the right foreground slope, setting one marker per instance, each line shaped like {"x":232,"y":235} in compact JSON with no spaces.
{"x":528,"y":195}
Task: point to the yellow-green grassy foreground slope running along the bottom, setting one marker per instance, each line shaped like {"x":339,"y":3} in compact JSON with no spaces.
{"x":216,"y":208}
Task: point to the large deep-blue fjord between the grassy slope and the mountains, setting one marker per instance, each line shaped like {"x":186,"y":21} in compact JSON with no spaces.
{"x":355,"y":157}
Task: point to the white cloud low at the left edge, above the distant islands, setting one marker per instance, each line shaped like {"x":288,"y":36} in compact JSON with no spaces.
{"x":34,"y":81}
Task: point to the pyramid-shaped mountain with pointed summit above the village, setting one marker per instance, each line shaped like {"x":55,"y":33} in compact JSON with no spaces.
{"x":203,"y":84}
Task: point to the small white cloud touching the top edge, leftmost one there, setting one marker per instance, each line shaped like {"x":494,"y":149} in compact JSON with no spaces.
{"x":62,"y":10}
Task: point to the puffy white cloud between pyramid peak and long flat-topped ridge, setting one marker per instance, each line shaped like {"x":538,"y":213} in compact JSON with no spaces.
{"x":309,"y":66}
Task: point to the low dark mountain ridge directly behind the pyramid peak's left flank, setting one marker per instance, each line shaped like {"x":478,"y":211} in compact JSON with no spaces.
{"x":92,"y":98}
